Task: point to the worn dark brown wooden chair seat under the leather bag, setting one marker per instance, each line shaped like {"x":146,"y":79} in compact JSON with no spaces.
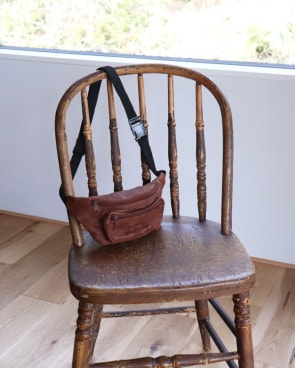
{"x":129,"y":272}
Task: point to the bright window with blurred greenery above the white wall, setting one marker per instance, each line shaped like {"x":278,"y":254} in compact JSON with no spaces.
{"x":226,"y":30}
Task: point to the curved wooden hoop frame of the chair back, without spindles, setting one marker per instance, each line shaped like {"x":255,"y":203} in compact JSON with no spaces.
{"x":227,"y":128}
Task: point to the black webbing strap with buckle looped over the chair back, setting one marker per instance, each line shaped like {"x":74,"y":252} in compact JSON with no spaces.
{"x":135,"y":122}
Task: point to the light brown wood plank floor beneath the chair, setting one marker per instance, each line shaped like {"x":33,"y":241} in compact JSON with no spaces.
{"x":37,"y":312}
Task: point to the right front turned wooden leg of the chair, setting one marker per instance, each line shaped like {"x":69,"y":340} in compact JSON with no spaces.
{"x":243,"y":330}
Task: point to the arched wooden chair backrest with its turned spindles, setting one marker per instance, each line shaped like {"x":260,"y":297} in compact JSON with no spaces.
{"x":140,"y":73}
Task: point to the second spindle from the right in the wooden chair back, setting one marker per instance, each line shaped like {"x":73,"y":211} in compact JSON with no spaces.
{"x":172,"y":151}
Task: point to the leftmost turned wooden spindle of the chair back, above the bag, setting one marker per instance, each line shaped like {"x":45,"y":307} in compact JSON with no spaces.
{"x":89,"y":154}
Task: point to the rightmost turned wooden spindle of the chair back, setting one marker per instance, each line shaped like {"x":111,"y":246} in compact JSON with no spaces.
{"x":201,"y":156}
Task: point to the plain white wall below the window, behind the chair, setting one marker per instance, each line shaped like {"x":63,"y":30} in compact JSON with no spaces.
{"x":263,"y":105}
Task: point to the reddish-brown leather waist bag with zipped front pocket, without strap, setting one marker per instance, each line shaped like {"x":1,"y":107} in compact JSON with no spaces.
{"x":121,"y":216}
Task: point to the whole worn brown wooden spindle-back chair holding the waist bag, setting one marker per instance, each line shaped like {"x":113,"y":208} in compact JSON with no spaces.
{"x":188,"y":258}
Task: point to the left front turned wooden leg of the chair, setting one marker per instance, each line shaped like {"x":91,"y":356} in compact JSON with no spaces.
{"x":83,"y":335}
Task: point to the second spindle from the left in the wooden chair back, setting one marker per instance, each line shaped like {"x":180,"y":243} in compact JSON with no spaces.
{"x":115,"y":147}
